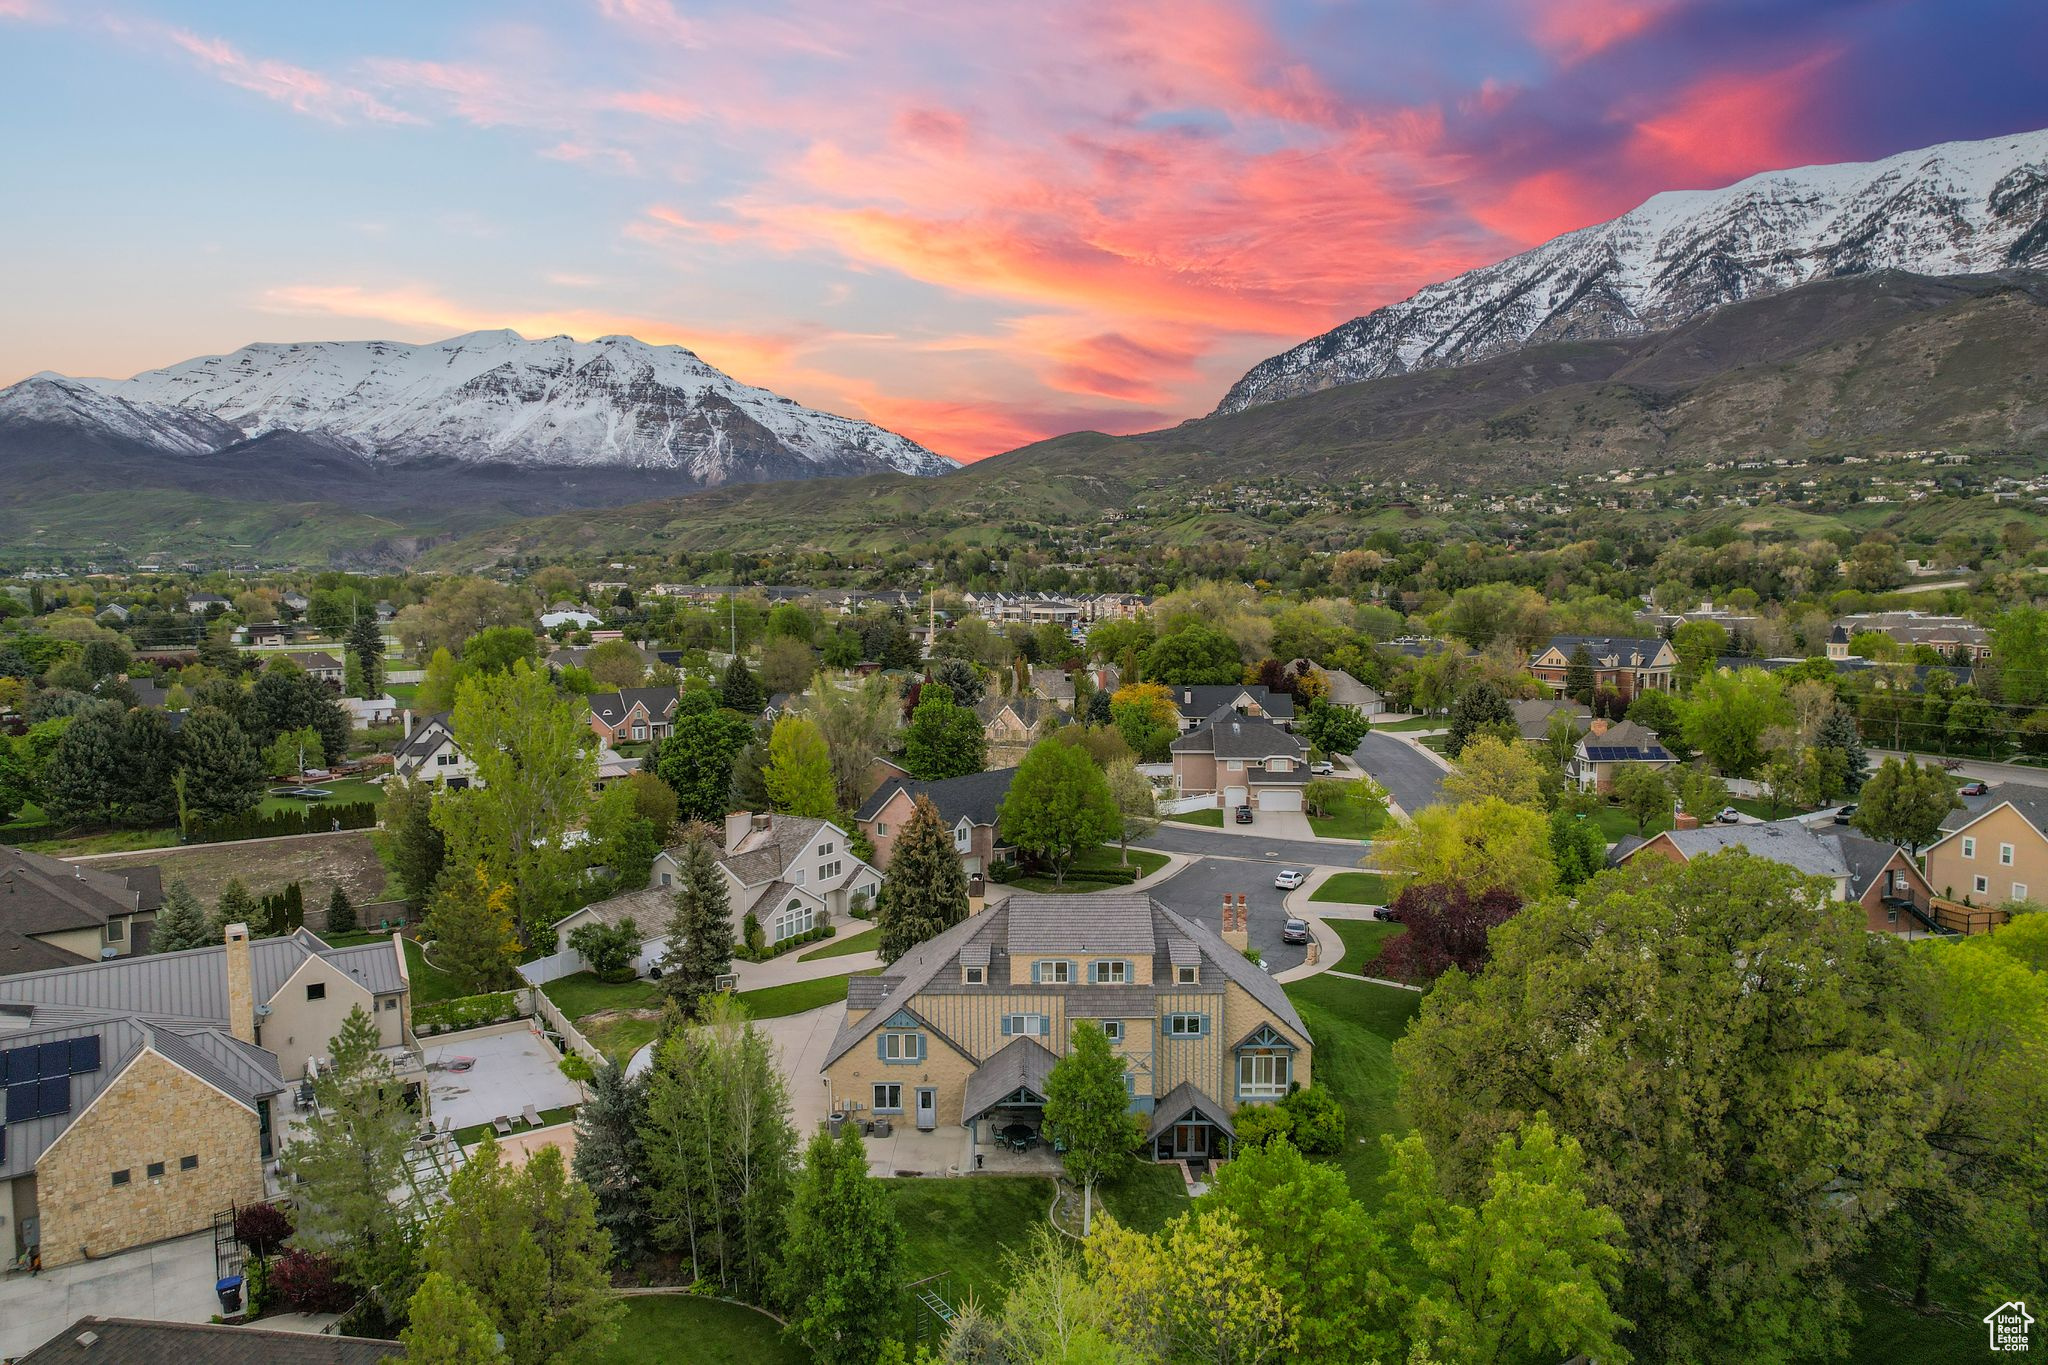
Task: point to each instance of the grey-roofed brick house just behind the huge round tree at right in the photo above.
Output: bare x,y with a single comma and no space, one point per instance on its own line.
1875,877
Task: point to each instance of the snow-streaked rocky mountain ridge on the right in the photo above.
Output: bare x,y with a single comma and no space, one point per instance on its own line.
1961,208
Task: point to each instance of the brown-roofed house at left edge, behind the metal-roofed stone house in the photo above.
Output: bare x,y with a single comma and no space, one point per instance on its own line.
56,914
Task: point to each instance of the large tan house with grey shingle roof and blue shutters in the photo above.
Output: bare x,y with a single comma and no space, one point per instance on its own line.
966,1028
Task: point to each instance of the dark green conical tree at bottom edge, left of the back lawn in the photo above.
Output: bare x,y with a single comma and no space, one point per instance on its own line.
841,1253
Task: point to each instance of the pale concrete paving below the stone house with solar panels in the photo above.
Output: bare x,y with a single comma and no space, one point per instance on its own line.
171,1282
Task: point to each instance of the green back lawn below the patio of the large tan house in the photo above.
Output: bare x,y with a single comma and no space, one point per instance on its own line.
964,1227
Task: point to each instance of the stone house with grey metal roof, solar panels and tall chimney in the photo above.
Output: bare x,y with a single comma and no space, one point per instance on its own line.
148,1094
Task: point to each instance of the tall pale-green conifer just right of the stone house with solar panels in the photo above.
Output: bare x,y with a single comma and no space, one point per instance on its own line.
349,1157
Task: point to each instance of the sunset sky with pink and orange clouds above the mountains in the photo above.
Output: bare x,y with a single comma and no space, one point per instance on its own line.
976,224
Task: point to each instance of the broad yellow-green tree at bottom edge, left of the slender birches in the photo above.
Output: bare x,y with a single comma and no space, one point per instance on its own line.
525,1241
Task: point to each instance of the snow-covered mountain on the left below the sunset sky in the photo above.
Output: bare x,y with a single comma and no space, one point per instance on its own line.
486,398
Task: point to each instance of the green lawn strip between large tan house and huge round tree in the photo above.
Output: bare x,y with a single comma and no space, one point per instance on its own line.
1355,1026
